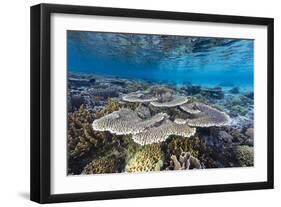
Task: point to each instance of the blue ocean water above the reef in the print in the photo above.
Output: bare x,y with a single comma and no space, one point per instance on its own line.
163,58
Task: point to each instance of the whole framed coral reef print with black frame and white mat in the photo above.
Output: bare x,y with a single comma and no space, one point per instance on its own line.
132,103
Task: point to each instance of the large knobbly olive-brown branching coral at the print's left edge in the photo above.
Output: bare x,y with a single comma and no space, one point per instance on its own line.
81,136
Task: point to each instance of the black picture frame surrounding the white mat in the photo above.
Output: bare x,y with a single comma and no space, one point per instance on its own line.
41,96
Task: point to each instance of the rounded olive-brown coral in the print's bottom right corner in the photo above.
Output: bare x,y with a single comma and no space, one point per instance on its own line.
244,155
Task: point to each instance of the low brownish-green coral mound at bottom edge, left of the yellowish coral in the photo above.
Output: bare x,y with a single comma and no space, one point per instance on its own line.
101,165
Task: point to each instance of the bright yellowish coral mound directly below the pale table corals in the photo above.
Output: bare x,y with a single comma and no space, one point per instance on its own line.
148,158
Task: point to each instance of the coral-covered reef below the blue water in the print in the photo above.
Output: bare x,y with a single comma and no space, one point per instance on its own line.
118,125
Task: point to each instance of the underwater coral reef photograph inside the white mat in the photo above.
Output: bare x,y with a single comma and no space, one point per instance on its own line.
146,102
